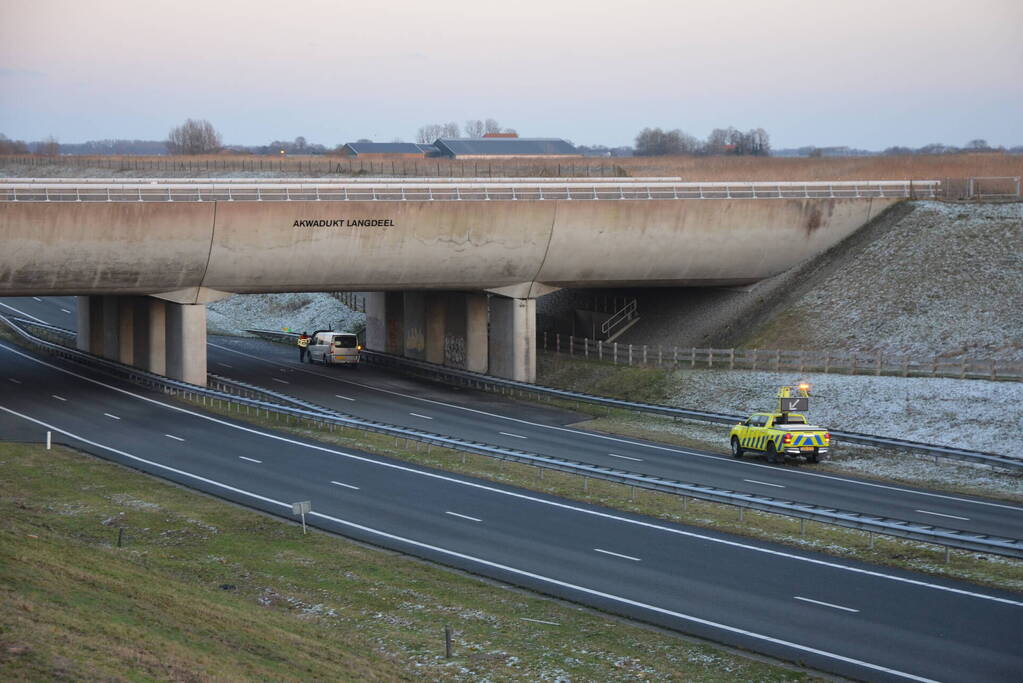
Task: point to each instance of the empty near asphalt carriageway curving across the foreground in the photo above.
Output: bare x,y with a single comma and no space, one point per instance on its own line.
851,619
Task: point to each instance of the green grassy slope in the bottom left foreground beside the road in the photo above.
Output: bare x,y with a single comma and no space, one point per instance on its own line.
206,590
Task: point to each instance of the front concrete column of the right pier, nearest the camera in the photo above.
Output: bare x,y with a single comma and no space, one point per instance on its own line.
513,339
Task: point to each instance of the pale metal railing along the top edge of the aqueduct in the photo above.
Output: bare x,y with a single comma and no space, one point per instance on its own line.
463,192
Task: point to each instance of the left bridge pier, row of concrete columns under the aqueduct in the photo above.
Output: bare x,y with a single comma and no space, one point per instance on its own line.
150,334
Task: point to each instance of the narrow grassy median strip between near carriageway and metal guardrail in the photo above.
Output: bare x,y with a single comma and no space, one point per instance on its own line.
976,568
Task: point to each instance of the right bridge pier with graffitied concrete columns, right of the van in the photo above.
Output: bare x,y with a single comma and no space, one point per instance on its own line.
457,330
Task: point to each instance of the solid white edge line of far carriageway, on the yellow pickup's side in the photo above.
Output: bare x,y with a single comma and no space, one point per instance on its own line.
723,459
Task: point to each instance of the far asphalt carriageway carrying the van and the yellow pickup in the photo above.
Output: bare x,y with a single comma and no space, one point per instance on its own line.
381,395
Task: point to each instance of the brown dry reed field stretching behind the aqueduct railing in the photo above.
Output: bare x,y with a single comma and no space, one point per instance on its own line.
937,167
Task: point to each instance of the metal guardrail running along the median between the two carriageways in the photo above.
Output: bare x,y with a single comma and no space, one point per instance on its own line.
949,538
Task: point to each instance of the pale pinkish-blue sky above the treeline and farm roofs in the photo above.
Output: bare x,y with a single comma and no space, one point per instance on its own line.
867,74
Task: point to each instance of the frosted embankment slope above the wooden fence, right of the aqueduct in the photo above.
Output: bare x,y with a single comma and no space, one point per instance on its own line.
947,281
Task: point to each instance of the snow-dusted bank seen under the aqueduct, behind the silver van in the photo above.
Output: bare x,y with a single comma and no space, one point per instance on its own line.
299,312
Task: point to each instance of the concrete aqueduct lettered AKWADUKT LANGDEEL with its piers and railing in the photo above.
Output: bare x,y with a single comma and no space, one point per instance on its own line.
454,267
